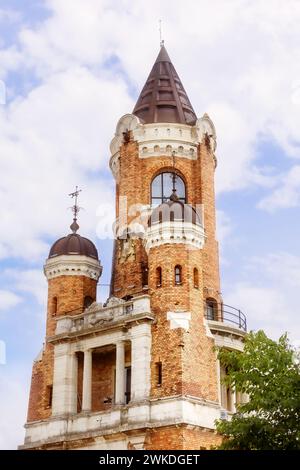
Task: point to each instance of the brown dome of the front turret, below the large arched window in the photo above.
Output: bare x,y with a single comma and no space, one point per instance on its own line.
174,211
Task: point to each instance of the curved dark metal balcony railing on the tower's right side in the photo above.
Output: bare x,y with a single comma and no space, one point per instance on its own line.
226,314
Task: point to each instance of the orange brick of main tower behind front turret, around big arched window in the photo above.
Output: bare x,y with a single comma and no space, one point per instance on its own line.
136,175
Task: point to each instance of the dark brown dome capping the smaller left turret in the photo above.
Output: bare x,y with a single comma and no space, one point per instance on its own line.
74,244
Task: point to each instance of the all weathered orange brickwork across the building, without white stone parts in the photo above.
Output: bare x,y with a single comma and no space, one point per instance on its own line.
188,360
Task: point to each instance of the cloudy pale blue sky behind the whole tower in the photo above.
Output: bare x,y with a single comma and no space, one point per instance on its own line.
68,71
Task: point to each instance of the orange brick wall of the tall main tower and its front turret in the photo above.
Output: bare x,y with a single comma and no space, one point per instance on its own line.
188,360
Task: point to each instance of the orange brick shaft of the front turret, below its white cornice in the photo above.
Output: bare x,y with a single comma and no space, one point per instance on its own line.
188,360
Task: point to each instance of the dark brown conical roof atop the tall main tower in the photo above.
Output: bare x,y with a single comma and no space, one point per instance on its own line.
163,98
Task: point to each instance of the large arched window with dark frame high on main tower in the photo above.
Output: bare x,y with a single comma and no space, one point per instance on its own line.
162,185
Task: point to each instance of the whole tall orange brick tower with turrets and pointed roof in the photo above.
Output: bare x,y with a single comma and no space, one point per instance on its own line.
141,370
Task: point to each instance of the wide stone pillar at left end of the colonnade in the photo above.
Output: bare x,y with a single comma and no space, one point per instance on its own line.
64,380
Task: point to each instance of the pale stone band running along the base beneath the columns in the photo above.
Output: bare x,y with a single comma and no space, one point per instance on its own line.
150,414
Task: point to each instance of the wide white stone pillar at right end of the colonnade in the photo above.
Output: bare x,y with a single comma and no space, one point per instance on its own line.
140,361
